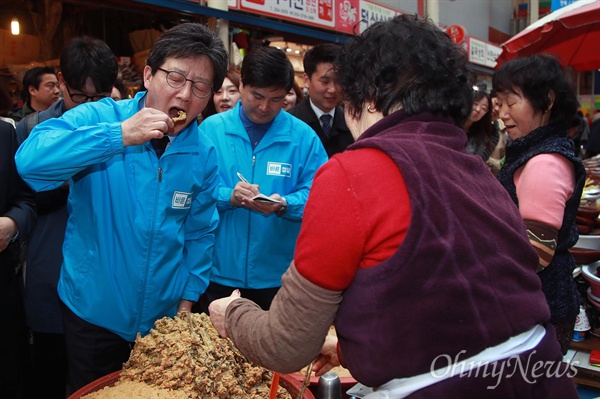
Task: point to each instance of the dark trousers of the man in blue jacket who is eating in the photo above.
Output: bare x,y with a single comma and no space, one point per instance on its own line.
92,351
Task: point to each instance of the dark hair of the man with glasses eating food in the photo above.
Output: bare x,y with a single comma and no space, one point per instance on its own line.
190,40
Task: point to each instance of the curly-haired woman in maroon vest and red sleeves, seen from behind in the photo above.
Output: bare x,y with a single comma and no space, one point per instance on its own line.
408,245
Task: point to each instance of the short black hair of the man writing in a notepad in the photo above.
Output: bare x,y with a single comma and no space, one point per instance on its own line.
267,67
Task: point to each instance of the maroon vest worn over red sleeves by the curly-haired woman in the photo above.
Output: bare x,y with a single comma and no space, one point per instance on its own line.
463,279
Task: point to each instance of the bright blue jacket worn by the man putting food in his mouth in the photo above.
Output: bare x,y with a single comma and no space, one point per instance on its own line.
140,232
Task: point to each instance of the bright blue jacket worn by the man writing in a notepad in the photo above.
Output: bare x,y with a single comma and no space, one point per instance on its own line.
253,250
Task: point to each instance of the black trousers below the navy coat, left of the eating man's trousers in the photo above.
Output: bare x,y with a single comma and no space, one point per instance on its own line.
49,371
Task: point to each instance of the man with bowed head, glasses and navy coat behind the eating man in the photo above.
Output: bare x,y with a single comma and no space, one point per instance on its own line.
88,69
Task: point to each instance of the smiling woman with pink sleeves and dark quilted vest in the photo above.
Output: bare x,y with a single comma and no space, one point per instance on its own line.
543,174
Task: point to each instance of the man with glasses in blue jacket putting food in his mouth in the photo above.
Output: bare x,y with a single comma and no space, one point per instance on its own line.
142,202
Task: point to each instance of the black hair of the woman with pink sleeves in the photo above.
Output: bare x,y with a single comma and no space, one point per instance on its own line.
537,76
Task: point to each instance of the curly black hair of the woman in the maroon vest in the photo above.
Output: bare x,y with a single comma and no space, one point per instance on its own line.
406,61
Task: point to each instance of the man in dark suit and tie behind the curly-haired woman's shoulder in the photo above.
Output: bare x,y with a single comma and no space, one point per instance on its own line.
320,110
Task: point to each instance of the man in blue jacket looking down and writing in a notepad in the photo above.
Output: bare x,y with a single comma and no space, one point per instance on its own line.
261,150
